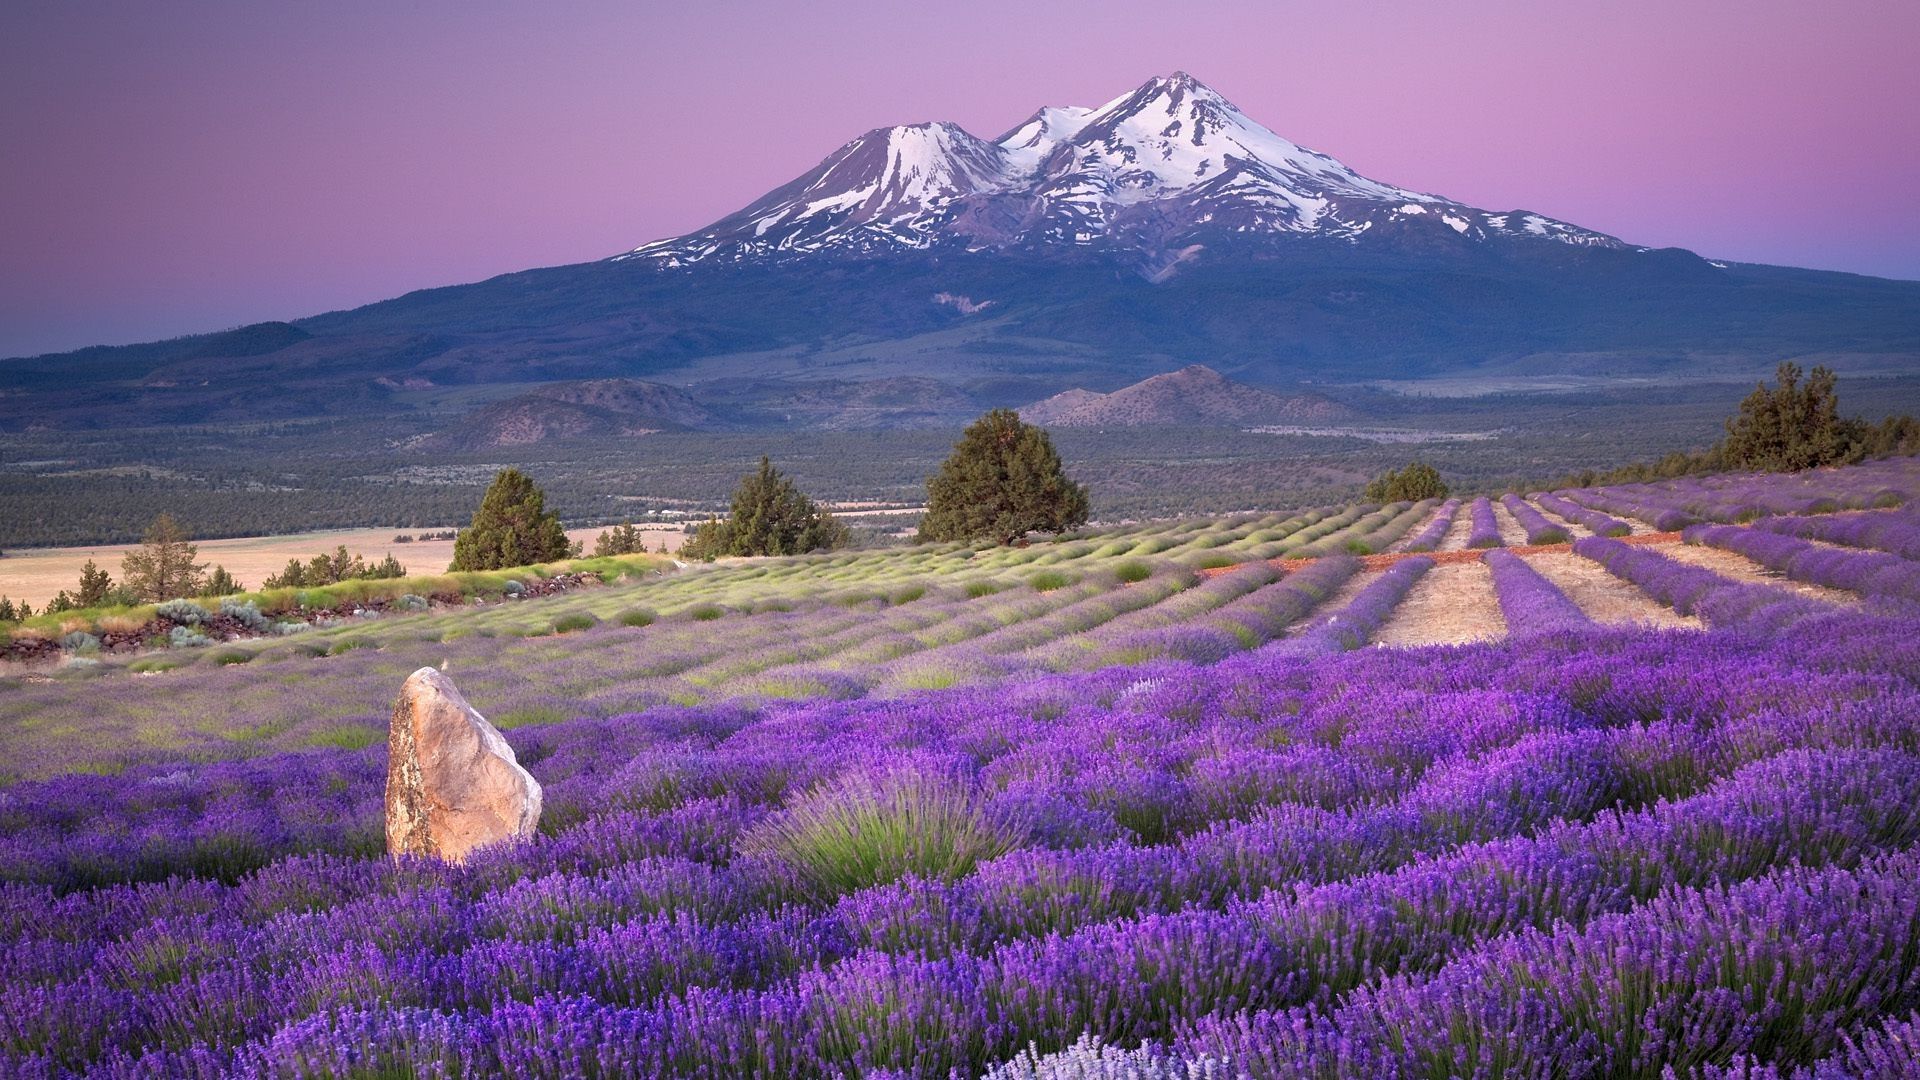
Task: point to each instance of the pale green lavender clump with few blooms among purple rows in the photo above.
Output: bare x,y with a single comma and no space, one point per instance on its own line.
875,829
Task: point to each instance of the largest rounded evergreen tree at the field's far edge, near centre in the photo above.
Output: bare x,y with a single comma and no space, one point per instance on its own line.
1003,481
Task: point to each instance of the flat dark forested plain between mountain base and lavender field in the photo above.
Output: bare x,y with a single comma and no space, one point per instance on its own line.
60,489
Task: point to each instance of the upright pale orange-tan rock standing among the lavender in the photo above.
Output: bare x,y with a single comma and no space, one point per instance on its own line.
452,781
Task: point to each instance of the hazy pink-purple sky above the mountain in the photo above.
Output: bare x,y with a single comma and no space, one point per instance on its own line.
189,166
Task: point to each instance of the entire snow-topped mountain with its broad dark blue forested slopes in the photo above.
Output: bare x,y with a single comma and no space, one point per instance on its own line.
1088,247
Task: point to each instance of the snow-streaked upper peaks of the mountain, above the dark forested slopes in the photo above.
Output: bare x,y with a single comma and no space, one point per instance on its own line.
1155,176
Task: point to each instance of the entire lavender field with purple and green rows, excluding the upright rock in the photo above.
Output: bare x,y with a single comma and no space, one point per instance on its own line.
1585,783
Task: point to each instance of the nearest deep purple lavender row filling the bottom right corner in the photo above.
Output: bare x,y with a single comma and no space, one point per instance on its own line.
1769,968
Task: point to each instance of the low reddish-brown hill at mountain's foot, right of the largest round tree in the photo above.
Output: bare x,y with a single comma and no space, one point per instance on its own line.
1191,397
